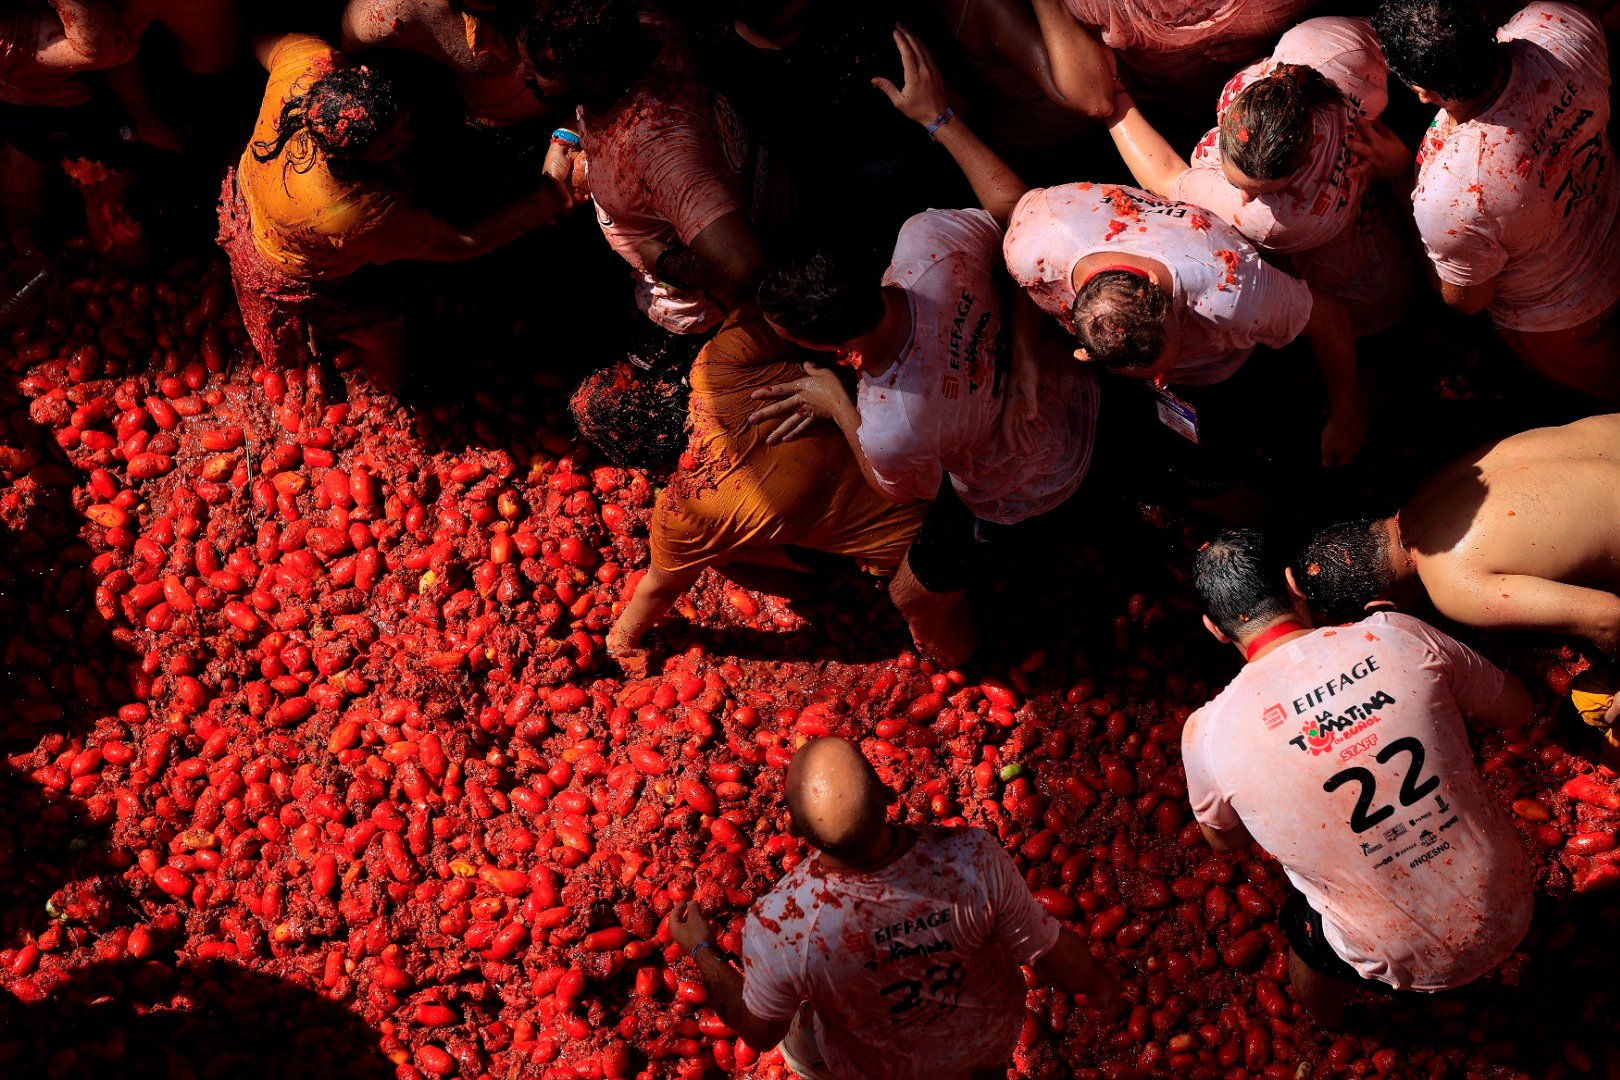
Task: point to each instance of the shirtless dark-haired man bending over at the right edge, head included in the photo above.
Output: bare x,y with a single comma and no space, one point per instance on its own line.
1517,535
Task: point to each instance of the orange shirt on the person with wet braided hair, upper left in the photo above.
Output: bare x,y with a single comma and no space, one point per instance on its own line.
307,223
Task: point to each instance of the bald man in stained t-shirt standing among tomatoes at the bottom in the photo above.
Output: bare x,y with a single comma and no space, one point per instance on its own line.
890,951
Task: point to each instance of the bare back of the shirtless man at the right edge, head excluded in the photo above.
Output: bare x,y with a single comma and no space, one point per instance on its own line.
1525,534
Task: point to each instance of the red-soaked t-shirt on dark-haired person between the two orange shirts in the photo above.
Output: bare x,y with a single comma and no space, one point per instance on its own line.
667,164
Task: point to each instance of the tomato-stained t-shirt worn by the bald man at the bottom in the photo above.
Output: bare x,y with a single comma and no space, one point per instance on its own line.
913,971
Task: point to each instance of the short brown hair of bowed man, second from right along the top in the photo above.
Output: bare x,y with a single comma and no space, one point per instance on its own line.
1268,130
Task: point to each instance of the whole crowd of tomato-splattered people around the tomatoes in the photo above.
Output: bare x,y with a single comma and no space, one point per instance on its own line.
906,367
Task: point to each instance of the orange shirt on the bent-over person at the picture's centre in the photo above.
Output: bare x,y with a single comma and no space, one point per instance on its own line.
744,495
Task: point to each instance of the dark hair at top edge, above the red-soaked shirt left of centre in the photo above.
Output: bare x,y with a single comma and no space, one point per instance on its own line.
595,48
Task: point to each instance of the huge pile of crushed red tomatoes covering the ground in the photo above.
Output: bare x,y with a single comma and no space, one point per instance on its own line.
315,762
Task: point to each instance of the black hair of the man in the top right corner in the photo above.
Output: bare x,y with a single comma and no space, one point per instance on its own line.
1443,46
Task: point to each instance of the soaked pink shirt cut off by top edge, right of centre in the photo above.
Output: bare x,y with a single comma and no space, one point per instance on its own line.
1164,41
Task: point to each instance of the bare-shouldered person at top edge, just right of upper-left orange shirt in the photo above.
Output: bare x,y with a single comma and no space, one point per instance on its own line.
464,36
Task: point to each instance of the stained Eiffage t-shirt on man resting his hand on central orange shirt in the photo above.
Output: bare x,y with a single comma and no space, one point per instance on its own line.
937,410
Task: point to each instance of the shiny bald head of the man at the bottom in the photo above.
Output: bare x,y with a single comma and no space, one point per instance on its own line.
837,802
